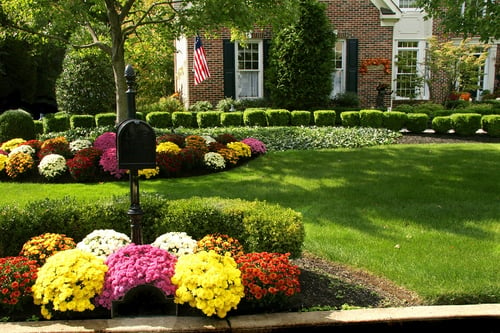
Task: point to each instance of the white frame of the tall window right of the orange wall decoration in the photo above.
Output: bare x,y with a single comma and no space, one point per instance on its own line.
421,69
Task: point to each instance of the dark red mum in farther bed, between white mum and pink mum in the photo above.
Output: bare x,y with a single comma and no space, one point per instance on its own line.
84,165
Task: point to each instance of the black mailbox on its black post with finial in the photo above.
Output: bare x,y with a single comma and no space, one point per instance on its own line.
136,149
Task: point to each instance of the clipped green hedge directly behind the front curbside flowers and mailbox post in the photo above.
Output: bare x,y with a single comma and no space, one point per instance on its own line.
258,225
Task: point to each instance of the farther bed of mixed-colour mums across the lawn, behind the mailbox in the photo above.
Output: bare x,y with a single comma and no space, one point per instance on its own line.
81,160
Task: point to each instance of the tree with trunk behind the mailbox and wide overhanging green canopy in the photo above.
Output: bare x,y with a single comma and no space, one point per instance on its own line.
110,23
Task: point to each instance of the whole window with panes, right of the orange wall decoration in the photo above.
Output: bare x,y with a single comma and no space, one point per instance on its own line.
409,77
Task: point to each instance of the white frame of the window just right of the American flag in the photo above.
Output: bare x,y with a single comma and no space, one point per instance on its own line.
260,70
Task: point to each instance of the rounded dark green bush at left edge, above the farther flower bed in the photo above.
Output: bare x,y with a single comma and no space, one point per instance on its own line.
16,124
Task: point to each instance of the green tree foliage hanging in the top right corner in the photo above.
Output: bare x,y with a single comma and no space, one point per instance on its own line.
468,17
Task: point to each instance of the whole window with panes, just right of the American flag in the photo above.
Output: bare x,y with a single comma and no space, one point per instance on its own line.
249,70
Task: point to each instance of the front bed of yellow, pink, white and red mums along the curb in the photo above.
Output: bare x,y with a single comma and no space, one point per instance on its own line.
212,274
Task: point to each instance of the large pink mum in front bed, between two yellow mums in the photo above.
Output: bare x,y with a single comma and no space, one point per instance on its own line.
134,265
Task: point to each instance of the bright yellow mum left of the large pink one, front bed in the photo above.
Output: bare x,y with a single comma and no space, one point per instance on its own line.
69,281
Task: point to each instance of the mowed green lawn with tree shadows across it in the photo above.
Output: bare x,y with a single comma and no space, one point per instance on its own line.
425,216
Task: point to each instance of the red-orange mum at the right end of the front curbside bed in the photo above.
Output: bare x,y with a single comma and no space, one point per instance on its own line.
268,277
